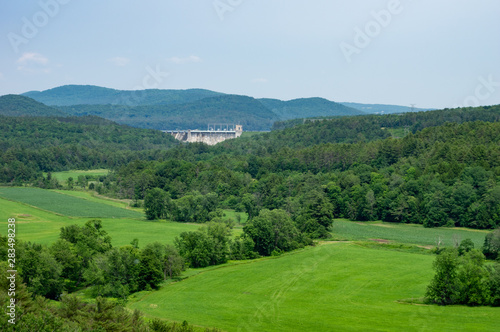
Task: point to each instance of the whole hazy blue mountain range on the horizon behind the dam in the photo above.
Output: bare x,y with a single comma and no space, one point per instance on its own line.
194,108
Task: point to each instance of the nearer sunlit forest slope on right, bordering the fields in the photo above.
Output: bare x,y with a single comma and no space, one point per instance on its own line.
441,176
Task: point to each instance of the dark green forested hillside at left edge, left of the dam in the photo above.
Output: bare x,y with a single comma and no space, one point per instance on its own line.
29,145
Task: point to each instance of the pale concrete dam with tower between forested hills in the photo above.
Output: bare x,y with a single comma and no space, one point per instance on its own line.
213,135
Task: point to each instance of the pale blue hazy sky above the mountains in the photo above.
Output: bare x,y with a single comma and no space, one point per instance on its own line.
430,53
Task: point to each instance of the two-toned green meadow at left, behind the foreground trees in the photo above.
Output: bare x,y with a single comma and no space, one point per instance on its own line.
40,214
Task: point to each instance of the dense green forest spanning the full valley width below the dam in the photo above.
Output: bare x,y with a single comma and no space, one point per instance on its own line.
444,175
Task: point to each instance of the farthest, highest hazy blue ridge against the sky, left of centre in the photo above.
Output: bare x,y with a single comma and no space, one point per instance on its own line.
95,95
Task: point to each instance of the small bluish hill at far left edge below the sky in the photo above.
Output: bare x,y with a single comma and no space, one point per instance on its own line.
15,105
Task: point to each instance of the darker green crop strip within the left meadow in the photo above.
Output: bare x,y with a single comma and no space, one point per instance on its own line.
65,204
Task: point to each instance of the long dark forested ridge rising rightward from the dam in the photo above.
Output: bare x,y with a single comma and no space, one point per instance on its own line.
356,129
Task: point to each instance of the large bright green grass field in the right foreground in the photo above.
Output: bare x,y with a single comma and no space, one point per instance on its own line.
336,286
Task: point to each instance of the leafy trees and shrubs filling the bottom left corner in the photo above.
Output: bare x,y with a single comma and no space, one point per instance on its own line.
84,257
